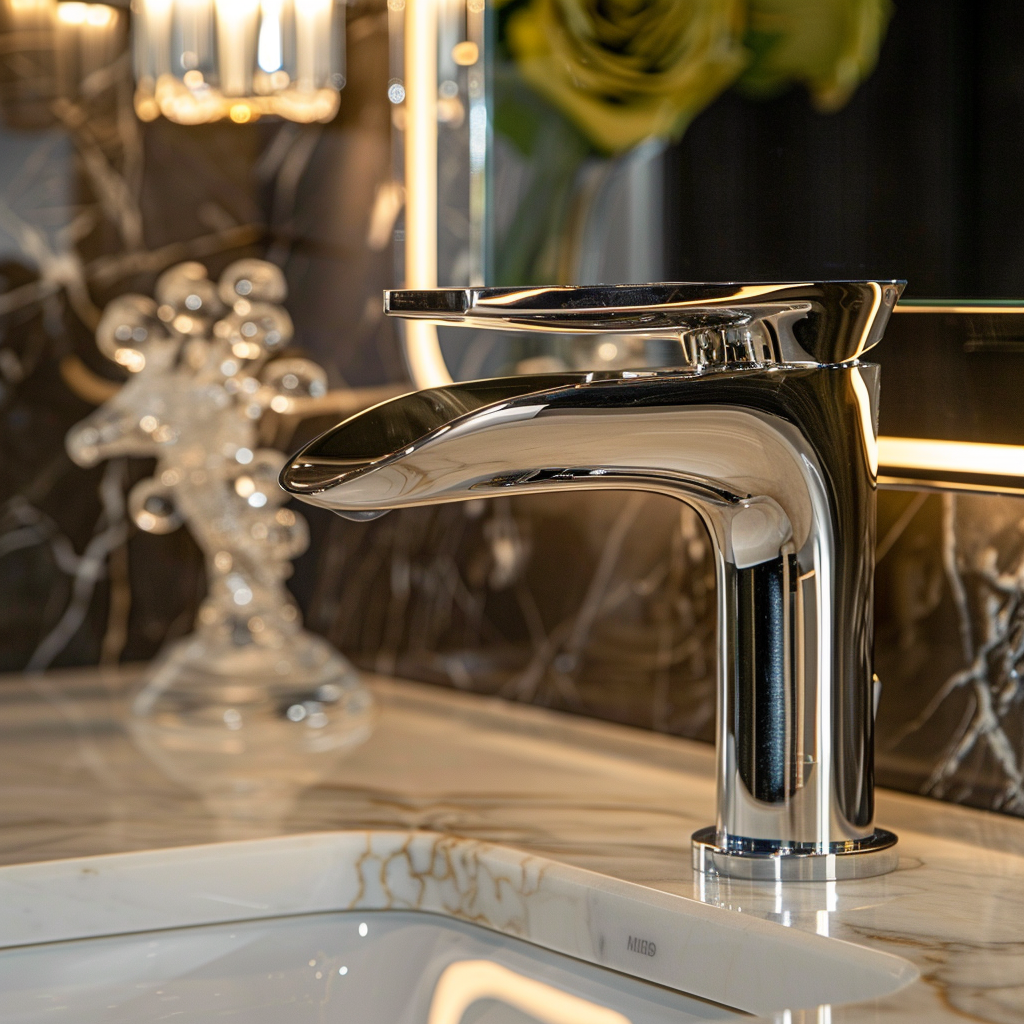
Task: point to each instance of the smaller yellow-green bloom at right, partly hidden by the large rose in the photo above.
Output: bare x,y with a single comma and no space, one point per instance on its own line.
830,47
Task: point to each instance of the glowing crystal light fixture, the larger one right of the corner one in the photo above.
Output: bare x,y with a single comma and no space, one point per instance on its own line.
201,61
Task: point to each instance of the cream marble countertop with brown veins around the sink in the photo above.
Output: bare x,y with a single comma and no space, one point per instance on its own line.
583,794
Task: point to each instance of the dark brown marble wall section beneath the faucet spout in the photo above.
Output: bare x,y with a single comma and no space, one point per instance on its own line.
598,605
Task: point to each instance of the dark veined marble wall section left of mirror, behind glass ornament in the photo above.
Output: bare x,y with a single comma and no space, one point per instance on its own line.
95,204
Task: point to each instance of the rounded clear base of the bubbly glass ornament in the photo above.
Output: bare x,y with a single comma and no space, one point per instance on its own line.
248,721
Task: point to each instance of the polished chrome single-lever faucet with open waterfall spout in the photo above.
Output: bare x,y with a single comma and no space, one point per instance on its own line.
770,434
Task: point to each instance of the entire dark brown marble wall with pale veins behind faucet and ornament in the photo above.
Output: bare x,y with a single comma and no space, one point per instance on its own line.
603,606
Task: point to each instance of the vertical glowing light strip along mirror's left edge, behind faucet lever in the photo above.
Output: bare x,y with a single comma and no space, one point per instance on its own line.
423,351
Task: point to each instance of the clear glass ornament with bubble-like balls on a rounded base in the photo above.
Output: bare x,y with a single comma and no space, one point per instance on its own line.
249,708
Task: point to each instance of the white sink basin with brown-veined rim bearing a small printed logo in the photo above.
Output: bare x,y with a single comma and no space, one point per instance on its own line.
290,930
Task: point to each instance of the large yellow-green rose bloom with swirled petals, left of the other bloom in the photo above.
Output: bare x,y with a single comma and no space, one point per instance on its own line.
626,71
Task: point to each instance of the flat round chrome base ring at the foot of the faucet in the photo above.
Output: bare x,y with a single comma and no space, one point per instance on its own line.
778,863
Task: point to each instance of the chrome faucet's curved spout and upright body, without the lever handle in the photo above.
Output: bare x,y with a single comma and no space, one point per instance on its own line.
780,465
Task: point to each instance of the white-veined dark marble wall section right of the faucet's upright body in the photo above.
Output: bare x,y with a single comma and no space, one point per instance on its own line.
951,648
